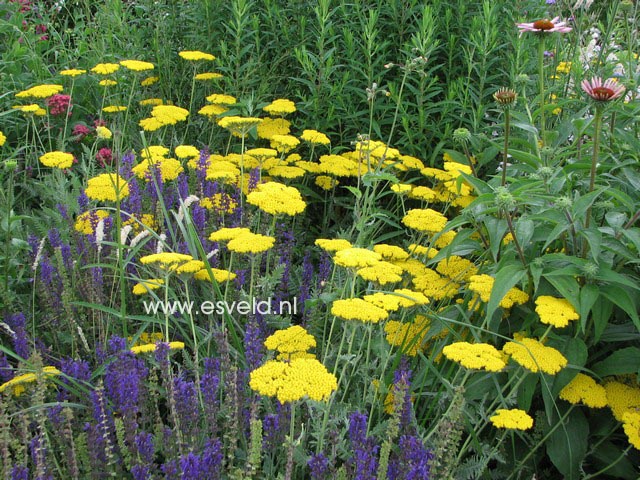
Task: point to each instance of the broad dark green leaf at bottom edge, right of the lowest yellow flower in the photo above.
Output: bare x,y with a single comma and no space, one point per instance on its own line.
567,444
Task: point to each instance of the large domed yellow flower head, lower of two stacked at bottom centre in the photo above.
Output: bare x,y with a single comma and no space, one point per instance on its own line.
294,380
